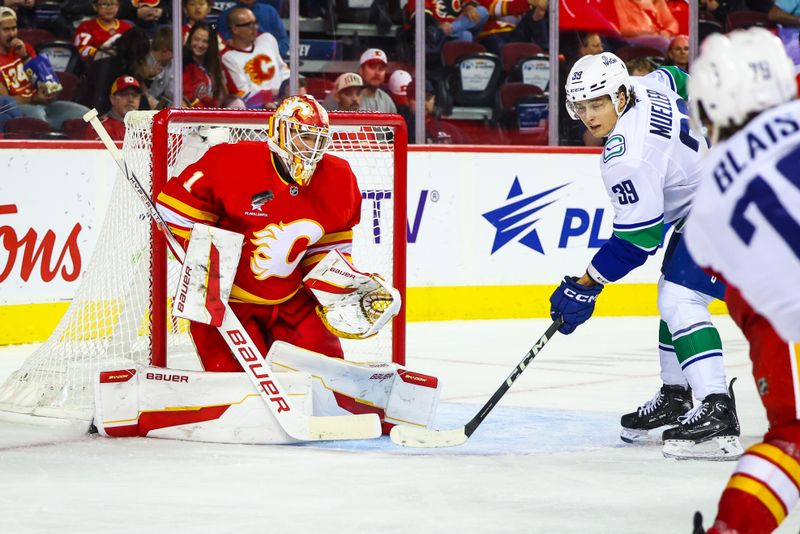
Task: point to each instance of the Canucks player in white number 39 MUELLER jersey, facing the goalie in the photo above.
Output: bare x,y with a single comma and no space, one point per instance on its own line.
650,166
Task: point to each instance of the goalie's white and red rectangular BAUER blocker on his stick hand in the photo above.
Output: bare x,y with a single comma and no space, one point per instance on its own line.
207,274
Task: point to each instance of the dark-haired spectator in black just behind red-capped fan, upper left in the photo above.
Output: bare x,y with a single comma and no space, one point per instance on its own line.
128,55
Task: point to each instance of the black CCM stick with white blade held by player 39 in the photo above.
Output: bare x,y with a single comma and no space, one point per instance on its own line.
410,436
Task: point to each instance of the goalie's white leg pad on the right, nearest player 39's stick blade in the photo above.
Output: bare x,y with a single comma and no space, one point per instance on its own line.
398,395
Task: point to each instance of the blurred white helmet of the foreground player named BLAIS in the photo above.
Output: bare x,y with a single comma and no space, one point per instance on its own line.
736,75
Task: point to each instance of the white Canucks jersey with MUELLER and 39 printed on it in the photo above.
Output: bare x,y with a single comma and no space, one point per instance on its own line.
651,164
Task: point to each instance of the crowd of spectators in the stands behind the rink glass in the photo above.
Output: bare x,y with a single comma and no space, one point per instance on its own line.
235,55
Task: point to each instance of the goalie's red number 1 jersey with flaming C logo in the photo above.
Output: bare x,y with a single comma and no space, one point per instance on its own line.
288,228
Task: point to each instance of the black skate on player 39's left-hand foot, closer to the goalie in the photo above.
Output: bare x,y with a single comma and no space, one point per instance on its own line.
669,403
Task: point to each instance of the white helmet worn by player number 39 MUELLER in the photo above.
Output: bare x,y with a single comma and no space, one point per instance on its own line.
594,76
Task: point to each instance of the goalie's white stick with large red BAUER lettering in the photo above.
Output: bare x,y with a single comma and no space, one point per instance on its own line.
295,423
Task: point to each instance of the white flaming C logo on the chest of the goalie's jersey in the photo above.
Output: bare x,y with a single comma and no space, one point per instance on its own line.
277,252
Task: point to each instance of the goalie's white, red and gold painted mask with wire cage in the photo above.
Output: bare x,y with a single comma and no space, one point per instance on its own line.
300,134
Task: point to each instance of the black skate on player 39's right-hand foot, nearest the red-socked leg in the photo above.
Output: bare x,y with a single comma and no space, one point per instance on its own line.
709,432
